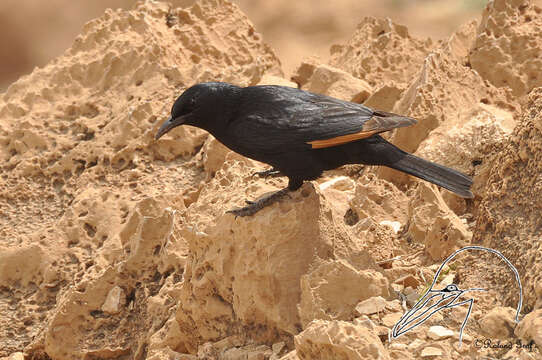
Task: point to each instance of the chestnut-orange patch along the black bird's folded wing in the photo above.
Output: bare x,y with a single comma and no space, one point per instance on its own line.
379,122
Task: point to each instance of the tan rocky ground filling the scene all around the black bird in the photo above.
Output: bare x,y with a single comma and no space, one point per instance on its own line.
117,246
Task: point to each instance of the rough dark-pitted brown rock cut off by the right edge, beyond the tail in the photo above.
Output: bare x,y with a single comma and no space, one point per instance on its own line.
508,215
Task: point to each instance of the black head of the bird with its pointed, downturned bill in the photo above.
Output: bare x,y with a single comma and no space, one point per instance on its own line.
198,106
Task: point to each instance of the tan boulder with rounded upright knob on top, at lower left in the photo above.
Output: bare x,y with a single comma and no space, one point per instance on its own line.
96,301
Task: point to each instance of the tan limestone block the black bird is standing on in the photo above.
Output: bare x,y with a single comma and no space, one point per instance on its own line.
246,253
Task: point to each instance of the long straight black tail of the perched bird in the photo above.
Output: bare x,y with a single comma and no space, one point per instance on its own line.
437,174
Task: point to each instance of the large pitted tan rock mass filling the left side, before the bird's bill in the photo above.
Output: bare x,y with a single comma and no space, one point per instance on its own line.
78,154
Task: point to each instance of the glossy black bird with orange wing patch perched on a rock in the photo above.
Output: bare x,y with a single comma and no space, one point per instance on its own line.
301,134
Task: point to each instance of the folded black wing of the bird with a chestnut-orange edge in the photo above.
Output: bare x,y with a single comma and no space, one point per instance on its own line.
287,119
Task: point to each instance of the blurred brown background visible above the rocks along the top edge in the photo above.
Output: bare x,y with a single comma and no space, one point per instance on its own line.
33,32
